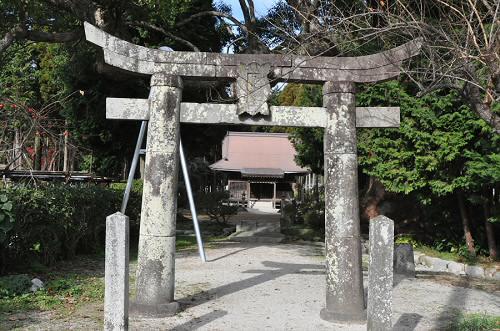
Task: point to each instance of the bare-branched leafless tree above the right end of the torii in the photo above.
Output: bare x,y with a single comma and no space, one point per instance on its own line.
461,40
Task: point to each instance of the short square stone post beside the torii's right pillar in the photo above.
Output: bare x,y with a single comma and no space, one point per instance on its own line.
380,274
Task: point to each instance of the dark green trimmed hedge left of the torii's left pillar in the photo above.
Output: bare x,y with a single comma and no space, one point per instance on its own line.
53,222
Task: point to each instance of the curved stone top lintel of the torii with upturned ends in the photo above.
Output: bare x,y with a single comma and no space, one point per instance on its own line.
143,60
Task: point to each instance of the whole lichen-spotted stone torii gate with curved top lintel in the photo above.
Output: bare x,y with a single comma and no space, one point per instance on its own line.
252,74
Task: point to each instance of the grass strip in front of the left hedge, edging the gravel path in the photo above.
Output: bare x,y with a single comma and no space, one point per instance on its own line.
69,284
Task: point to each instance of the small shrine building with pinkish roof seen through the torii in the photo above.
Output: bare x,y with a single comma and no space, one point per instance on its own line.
259,167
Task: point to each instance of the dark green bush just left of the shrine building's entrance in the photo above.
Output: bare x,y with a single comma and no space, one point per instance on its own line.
215,205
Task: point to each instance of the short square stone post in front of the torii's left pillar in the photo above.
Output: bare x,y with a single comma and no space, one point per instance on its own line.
116,271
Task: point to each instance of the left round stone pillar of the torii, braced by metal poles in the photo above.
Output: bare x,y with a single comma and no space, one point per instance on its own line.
155,282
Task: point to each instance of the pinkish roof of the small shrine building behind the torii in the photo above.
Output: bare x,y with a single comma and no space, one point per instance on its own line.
258,150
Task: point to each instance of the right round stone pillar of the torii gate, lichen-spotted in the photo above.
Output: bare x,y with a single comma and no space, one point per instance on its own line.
344,278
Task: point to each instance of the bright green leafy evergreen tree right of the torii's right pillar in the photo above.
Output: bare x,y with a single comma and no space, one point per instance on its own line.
441,149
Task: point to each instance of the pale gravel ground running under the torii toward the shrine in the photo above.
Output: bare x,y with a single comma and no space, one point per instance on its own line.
248,286
